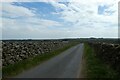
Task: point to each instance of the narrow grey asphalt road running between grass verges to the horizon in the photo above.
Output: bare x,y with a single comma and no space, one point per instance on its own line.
65,65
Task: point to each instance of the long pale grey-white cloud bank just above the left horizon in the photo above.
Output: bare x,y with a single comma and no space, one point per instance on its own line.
35,28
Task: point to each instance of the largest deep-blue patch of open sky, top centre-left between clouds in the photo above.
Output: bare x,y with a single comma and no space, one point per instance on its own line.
42,9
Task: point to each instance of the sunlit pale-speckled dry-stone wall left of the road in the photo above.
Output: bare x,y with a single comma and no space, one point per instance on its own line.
14,51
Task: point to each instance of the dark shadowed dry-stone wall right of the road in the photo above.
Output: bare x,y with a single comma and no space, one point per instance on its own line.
108,53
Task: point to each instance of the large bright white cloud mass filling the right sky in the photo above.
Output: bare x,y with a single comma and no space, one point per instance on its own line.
84,14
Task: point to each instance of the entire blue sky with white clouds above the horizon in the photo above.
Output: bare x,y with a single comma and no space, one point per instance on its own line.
53,19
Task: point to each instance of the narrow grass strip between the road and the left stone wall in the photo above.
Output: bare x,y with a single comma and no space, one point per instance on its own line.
14,69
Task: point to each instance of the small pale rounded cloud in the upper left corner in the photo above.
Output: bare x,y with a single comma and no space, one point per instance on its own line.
16,11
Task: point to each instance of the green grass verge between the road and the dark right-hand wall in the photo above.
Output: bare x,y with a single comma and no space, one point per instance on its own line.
95,68
